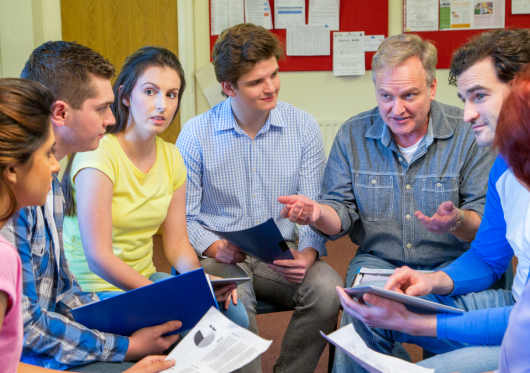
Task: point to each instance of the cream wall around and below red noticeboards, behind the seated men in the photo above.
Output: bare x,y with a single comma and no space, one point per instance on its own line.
320,93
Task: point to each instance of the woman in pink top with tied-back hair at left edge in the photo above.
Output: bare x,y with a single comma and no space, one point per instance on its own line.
26,167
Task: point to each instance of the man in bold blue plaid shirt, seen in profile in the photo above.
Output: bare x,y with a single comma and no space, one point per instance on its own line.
79,78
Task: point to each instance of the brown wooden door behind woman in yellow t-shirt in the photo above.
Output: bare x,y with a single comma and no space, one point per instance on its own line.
117,28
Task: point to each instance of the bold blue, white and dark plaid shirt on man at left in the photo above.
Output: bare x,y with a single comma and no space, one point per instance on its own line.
51,338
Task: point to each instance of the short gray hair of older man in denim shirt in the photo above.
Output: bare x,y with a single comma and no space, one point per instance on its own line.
395,50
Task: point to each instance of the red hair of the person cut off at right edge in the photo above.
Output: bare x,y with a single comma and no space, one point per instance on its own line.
512,136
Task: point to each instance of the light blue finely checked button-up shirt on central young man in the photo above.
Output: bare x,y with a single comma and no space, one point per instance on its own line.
234,182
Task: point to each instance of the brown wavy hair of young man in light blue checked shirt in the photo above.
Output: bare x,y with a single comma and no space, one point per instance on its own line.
239,48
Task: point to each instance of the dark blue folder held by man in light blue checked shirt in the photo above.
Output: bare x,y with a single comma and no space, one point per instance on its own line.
263,242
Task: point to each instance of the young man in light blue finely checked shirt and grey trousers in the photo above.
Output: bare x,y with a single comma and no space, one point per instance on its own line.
241,155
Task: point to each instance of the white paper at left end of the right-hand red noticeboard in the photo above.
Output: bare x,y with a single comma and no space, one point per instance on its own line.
421,15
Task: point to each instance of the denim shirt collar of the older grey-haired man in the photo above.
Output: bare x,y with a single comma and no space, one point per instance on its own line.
438,127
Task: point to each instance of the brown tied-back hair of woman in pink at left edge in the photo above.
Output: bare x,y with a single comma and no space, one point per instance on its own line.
25,109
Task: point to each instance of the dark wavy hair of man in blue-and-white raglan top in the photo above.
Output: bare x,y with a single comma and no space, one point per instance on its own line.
509,49
